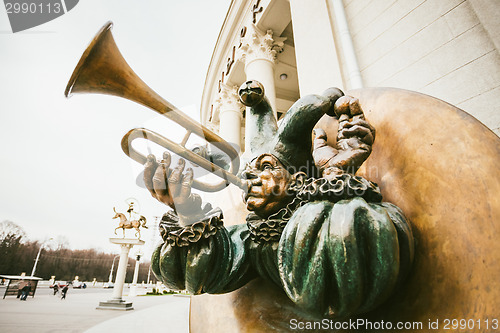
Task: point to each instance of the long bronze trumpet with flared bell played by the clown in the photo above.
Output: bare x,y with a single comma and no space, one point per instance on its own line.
102,69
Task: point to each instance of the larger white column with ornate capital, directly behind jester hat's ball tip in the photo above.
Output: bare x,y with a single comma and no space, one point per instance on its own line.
259,52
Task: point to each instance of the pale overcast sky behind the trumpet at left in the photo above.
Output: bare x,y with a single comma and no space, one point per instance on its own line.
62,168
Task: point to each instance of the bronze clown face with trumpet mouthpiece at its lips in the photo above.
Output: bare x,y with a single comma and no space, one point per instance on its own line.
268,183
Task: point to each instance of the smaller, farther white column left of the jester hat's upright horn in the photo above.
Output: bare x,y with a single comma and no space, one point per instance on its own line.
230,112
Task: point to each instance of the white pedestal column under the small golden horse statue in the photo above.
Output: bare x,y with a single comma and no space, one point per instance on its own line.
117,303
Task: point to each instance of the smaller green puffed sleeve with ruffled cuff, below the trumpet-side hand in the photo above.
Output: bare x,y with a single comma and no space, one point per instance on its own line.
205,258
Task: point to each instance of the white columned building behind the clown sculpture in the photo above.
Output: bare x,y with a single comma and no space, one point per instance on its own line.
447,49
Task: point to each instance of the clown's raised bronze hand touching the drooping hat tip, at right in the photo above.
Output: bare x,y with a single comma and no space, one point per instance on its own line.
354,141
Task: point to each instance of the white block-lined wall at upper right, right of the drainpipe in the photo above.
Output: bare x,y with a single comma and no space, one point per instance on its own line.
438,47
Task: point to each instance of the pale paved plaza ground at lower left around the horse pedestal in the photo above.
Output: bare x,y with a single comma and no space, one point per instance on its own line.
77,313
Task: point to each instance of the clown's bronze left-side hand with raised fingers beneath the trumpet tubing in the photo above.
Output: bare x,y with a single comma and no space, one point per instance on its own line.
172,186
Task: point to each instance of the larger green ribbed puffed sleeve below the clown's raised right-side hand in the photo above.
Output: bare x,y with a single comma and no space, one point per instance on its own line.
344,258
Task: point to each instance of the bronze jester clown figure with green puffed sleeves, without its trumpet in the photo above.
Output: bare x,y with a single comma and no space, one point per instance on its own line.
315,229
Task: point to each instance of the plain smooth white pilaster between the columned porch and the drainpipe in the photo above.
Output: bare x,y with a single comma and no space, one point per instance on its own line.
318,65
